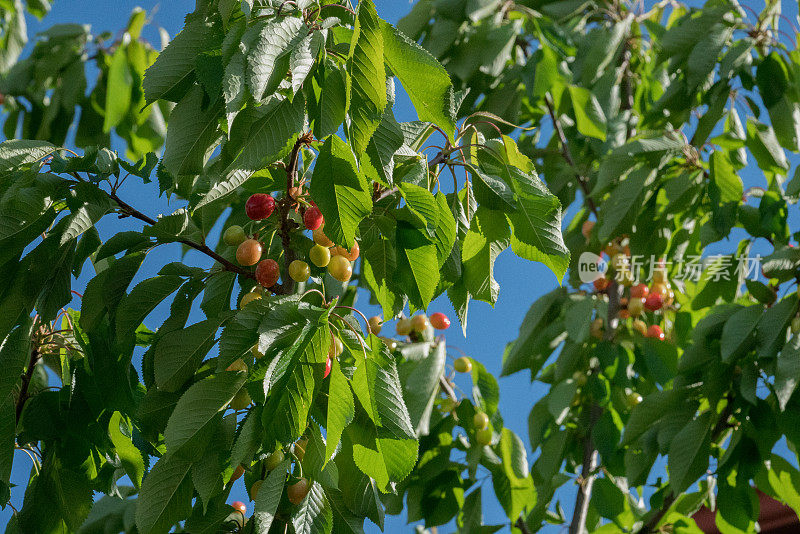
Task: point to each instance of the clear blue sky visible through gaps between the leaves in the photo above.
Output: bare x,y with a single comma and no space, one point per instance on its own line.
489,330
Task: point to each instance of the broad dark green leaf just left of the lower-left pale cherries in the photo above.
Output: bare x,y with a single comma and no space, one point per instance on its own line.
187,432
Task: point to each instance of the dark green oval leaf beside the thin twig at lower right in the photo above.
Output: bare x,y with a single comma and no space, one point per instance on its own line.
688,453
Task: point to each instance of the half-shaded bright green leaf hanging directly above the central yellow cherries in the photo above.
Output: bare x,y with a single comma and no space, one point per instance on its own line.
341,191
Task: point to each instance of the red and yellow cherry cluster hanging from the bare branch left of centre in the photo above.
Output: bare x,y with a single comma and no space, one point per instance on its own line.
249,250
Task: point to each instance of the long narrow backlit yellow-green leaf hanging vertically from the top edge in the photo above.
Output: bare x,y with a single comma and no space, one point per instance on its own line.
367,77
